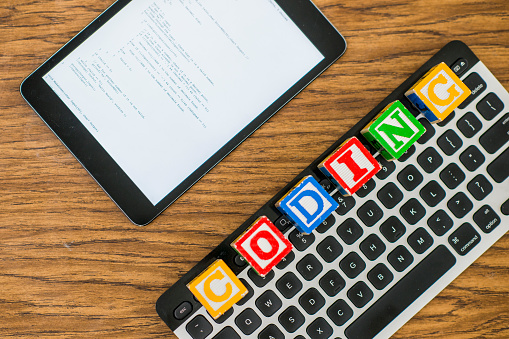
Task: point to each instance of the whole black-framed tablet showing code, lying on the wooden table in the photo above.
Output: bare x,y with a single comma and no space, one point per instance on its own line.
152,94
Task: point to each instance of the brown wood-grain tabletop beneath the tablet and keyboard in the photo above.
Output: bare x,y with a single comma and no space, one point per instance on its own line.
71,264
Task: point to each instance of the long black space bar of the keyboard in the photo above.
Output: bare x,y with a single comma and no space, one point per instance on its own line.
402,294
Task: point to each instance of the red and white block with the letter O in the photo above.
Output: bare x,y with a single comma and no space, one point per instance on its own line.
263,246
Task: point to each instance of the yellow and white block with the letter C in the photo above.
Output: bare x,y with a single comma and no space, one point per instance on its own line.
217,288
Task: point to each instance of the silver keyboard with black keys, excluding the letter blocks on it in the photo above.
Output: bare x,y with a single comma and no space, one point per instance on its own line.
388,249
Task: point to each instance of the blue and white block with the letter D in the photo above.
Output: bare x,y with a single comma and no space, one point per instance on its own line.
307,205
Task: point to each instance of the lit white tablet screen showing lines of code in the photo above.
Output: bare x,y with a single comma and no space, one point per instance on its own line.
164,84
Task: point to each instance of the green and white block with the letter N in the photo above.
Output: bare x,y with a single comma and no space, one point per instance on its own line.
393,131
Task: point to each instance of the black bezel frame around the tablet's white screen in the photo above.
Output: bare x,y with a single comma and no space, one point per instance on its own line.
101,165
